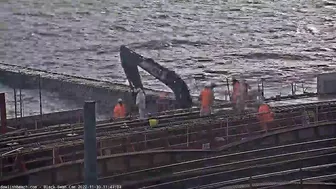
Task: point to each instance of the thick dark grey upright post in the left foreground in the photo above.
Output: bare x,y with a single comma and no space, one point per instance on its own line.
90,144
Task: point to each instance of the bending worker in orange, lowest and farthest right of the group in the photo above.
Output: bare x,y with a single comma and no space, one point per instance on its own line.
265,116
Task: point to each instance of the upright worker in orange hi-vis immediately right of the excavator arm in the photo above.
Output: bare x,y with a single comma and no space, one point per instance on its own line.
207,99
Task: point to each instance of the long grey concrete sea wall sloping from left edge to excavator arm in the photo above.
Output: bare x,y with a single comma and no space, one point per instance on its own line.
74,88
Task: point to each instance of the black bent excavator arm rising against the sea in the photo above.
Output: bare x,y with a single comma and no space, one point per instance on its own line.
130,61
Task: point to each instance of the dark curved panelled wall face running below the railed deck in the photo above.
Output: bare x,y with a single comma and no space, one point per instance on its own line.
71,172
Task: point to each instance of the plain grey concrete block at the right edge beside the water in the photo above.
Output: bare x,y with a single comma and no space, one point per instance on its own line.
326,83
